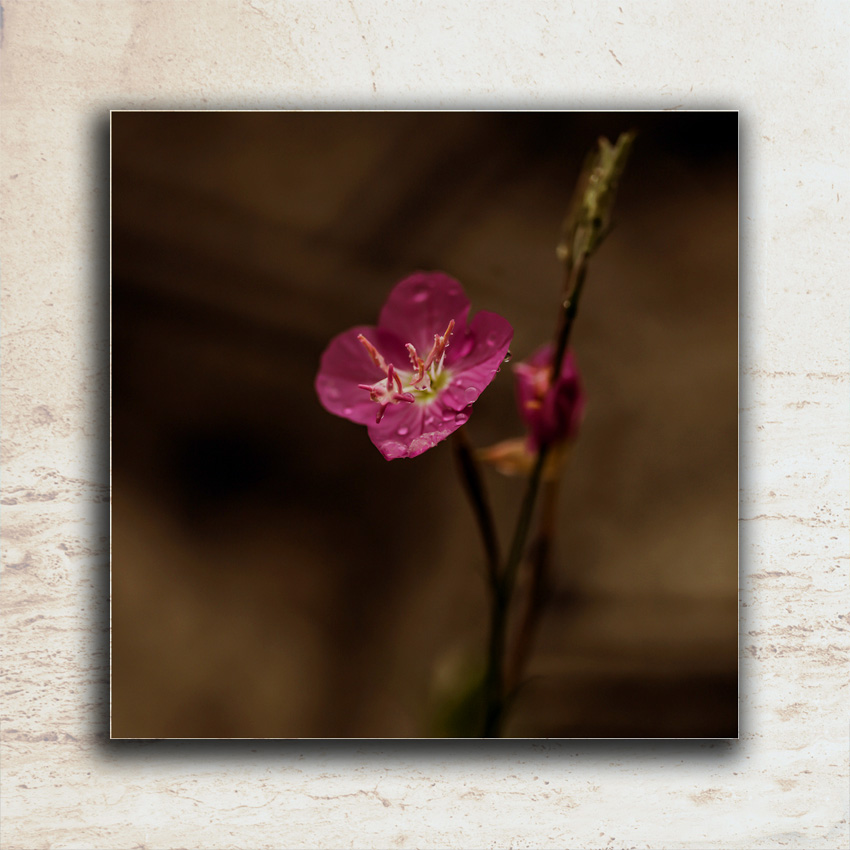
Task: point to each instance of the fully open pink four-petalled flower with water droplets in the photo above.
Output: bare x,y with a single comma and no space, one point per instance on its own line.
413,378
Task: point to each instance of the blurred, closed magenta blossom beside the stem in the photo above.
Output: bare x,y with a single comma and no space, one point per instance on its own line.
551,410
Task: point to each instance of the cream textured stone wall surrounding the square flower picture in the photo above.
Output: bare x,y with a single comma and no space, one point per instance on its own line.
785,783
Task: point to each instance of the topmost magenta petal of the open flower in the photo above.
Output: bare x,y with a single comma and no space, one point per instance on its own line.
423,305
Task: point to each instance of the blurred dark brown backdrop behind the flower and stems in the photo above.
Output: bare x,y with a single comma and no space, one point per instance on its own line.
253,595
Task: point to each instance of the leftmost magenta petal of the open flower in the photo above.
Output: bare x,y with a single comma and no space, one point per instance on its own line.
345,363
